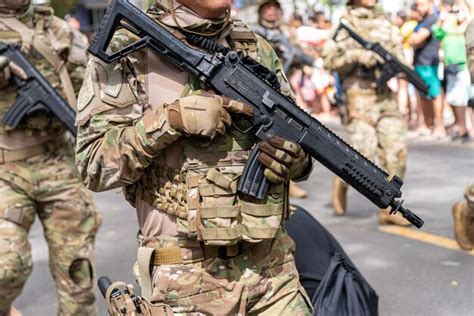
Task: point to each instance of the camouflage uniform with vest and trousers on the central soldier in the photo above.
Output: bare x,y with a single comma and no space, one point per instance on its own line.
212,250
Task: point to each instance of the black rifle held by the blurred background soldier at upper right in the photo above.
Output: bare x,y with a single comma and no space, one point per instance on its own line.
392,66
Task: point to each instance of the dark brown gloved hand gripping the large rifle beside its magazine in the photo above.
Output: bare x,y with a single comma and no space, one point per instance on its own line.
283,160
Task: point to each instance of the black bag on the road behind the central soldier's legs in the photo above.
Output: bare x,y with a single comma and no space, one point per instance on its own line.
330,279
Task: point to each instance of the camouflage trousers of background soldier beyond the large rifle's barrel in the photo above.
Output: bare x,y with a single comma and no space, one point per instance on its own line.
379,132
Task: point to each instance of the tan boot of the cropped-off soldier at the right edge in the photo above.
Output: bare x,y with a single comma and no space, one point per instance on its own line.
463,219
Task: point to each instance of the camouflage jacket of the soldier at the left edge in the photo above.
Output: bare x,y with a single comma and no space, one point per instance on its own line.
64,43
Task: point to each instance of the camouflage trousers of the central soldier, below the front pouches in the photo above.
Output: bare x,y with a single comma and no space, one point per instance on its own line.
262,280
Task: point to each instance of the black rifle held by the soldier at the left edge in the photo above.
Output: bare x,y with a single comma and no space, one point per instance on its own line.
35,94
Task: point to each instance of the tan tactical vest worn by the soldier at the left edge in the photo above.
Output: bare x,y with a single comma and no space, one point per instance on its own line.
48,62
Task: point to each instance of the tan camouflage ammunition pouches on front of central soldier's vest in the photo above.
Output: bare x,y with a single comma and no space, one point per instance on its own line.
218,216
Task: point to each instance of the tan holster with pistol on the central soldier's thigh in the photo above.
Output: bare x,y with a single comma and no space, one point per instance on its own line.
121,300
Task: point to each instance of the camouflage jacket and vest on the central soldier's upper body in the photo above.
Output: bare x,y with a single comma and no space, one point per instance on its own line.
180,186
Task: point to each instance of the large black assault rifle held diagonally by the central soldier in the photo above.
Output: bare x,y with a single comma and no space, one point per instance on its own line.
241,78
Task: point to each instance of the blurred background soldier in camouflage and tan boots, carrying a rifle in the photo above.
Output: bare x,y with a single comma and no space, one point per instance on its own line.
376,127
